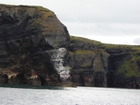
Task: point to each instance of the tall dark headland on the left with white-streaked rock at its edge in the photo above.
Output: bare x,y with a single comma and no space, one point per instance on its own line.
32,42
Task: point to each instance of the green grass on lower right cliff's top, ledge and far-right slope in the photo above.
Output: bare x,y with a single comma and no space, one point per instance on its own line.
129,67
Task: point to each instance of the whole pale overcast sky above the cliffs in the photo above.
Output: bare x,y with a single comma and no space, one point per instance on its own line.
107,21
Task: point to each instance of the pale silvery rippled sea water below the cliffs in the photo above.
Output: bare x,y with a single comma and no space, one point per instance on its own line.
69,96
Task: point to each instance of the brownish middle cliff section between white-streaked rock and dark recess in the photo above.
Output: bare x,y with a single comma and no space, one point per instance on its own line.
89,62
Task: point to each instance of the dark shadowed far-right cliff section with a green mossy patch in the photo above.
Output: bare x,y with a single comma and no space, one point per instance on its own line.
123,66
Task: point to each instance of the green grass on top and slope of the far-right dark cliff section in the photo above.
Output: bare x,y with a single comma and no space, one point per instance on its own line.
129,66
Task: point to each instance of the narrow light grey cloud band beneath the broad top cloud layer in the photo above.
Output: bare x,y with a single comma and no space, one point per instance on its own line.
107,29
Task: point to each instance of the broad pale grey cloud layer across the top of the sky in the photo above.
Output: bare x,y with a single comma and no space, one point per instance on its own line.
90,11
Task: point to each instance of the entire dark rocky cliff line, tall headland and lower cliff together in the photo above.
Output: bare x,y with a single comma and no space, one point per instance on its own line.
36,49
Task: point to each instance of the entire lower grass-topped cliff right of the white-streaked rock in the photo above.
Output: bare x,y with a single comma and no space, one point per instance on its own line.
97,64
